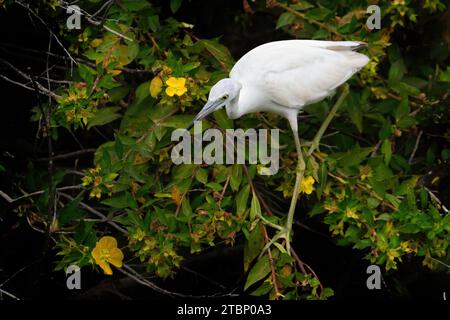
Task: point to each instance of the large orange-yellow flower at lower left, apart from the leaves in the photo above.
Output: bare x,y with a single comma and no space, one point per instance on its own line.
106,252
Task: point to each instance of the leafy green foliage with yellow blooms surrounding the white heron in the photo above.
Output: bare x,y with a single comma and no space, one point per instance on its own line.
366,188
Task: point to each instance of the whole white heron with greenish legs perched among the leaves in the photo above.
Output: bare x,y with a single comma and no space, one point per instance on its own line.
282,77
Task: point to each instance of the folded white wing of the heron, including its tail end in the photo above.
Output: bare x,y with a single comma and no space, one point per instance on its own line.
294,73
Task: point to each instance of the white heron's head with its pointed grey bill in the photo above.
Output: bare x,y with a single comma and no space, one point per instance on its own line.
222,94
